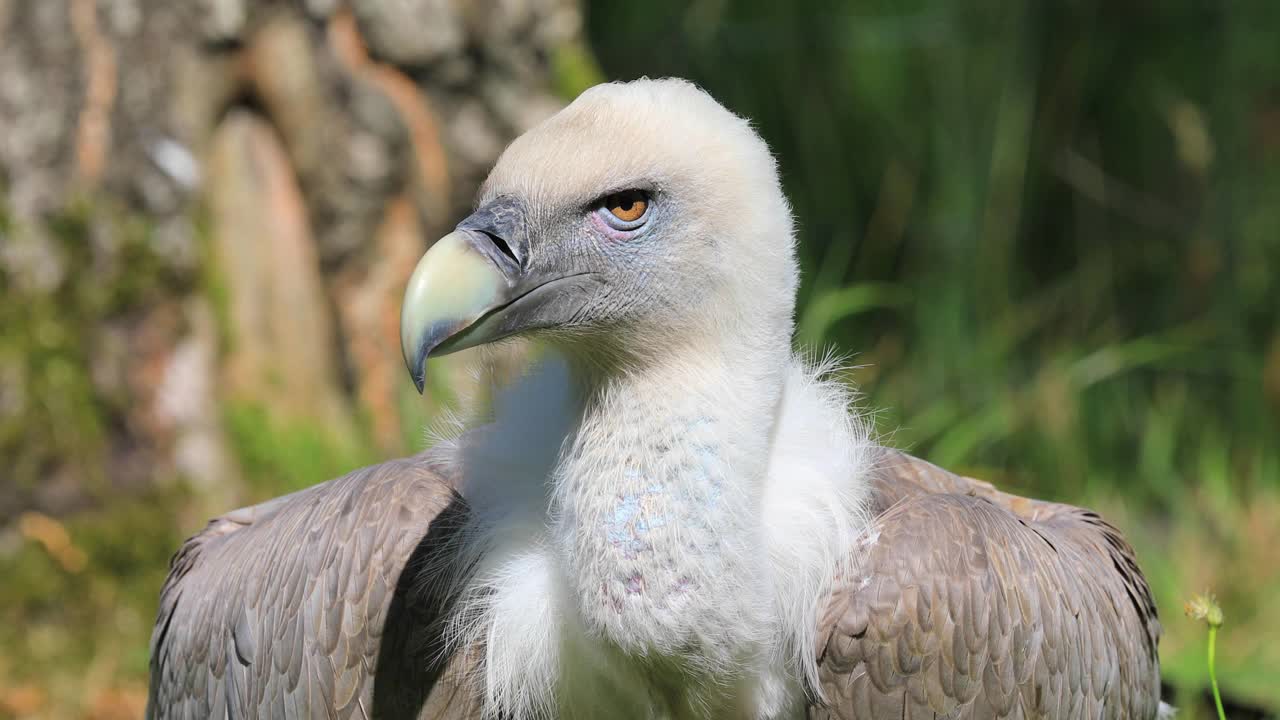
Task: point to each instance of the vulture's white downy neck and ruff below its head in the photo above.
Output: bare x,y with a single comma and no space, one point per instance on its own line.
632,550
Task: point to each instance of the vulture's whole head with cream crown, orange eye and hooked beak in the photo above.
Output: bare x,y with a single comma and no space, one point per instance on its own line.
641,218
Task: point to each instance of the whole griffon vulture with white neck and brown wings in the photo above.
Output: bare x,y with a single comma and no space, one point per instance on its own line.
669,516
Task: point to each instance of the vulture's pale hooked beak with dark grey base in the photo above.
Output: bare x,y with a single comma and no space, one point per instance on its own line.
476,286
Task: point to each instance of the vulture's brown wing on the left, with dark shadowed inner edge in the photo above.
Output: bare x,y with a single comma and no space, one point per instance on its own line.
291,608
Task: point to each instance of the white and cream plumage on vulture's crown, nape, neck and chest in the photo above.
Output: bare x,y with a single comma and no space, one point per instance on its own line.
674,518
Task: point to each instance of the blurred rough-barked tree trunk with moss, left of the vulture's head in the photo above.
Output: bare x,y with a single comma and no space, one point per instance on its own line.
212,207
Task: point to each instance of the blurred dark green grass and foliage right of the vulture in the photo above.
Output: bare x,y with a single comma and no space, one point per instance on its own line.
1049,235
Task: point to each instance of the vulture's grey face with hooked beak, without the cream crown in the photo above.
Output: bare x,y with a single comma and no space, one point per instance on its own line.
566,270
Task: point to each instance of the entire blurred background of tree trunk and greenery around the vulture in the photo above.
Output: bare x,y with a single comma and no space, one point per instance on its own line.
1048,234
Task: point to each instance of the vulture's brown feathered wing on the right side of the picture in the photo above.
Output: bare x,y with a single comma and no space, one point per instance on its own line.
979,604
